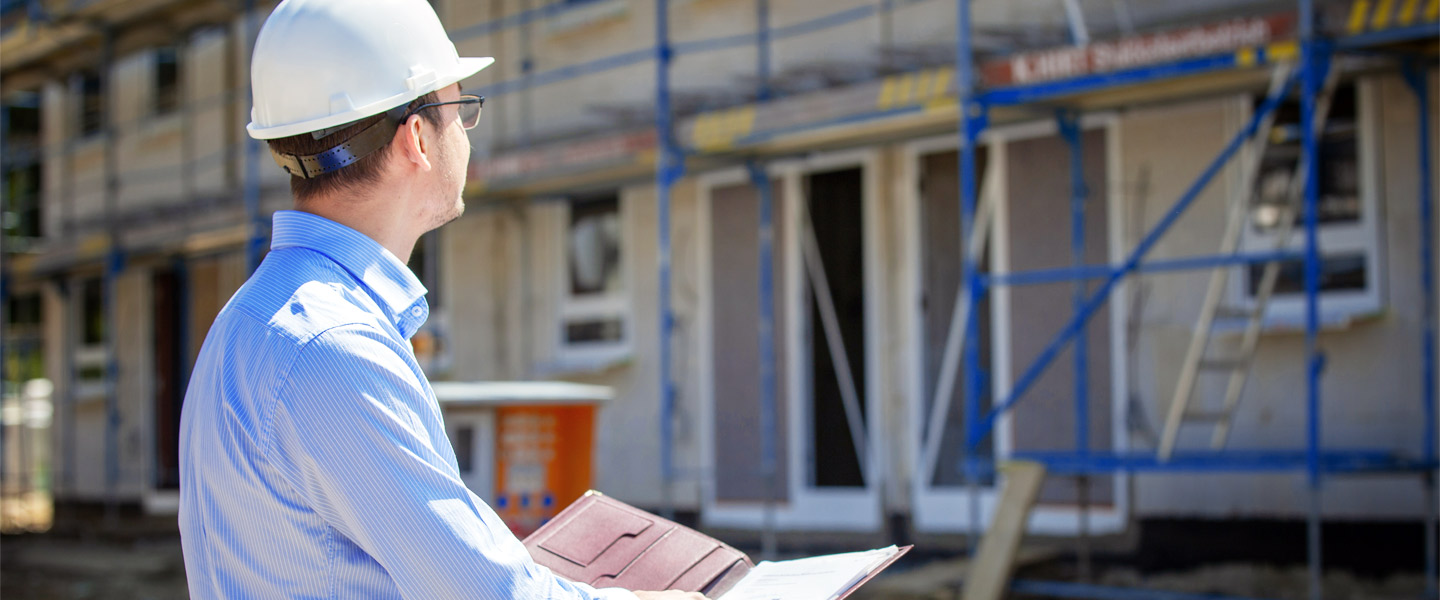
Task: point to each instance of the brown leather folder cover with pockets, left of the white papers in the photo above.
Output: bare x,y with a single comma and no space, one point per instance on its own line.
607,543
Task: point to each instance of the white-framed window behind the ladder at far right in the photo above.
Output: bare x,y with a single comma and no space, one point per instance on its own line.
1349,212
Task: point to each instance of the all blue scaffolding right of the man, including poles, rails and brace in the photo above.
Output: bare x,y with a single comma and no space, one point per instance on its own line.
1314,61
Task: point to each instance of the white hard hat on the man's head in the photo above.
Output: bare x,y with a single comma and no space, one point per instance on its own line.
320,64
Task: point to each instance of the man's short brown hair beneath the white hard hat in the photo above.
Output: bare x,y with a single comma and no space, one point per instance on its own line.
362,172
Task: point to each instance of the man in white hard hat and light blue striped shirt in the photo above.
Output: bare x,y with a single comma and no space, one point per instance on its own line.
315,463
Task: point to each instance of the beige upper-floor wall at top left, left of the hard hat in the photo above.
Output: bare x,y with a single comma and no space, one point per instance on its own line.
153,150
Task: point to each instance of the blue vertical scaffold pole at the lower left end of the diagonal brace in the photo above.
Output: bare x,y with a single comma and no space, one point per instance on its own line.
971,123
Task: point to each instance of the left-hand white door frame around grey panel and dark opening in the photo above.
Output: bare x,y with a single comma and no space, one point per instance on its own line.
807,507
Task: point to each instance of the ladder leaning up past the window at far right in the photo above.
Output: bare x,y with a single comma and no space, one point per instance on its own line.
1238,366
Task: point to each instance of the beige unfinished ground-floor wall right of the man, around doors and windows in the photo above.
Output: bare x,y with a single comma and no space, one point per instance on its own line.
1166,147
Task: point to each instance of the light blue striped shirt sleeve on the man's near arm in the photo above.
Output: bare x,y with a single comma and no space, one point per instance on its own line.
349,434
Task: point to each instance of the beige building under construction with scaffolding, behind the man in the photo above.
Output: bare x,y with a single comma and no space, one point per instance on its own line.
834,264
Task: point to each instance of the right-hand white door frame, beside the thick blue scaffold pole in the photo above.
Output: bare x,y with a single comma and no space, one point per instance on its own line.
947,510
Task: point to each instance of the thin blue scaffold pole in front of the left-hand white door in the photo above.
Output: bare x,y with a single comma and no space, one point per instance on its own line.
770,467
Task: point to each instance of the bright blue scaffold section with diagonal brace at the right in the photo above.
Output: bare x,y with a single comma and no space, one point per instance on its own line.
1314,460
